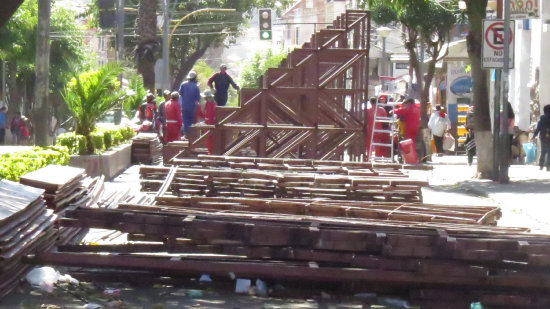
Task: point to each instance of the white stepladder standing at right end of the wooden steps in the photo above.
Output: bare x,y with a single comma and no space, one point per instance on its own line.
391,131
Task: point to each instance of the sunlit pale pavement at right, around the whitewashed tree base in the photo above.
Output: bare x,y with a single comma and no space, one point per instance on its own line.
525,201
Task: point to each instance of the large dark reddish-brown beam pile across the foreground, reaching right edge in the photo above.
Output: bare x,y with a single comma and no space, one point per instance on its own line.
436,264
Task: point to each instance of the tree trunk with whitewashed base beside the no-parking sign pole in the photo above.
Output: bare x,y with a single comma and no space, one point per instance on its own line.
483,136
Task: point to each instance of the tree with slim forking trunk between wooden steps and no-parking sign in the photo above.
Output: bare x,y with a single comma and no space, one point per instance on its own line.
427,24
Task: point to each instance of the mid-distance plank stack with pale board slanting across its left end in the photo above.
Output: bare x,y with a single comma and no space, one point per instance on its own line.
230,182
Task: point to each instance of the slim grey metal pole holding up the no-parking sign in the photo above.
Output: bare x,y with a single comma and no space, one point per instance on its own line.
504,137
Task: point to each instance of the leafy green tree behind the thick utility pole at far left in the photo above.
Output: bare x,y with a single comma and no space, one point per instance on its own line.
18,49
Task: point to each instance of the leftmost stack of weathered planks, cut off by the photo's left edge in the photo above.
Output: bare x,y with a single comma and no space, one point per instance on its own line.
26,227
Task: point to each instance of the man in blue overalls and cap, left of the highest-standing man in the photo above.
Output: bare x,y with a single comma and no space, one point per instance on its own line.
190,97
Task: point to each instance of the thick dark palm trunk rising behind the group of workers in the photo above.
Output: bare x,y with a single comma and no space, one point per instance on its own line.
148,45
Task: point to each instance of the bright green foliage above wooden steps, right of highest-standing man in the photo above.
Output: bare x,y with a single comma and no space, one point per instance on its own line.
256,67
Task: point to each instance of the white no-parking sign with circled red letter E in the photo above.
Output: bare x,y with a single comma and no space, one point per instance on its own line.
493,44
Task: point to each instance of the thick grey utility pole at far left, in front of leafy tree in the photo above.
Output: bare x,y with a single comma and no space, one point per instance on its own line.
41,114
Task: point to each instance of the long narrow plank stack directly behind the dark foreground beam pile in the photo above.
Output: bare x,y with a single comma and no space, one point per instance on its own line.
393,211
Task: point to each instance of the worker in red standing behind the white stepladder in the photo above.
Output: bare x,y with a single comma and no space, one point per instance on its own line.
378,137
